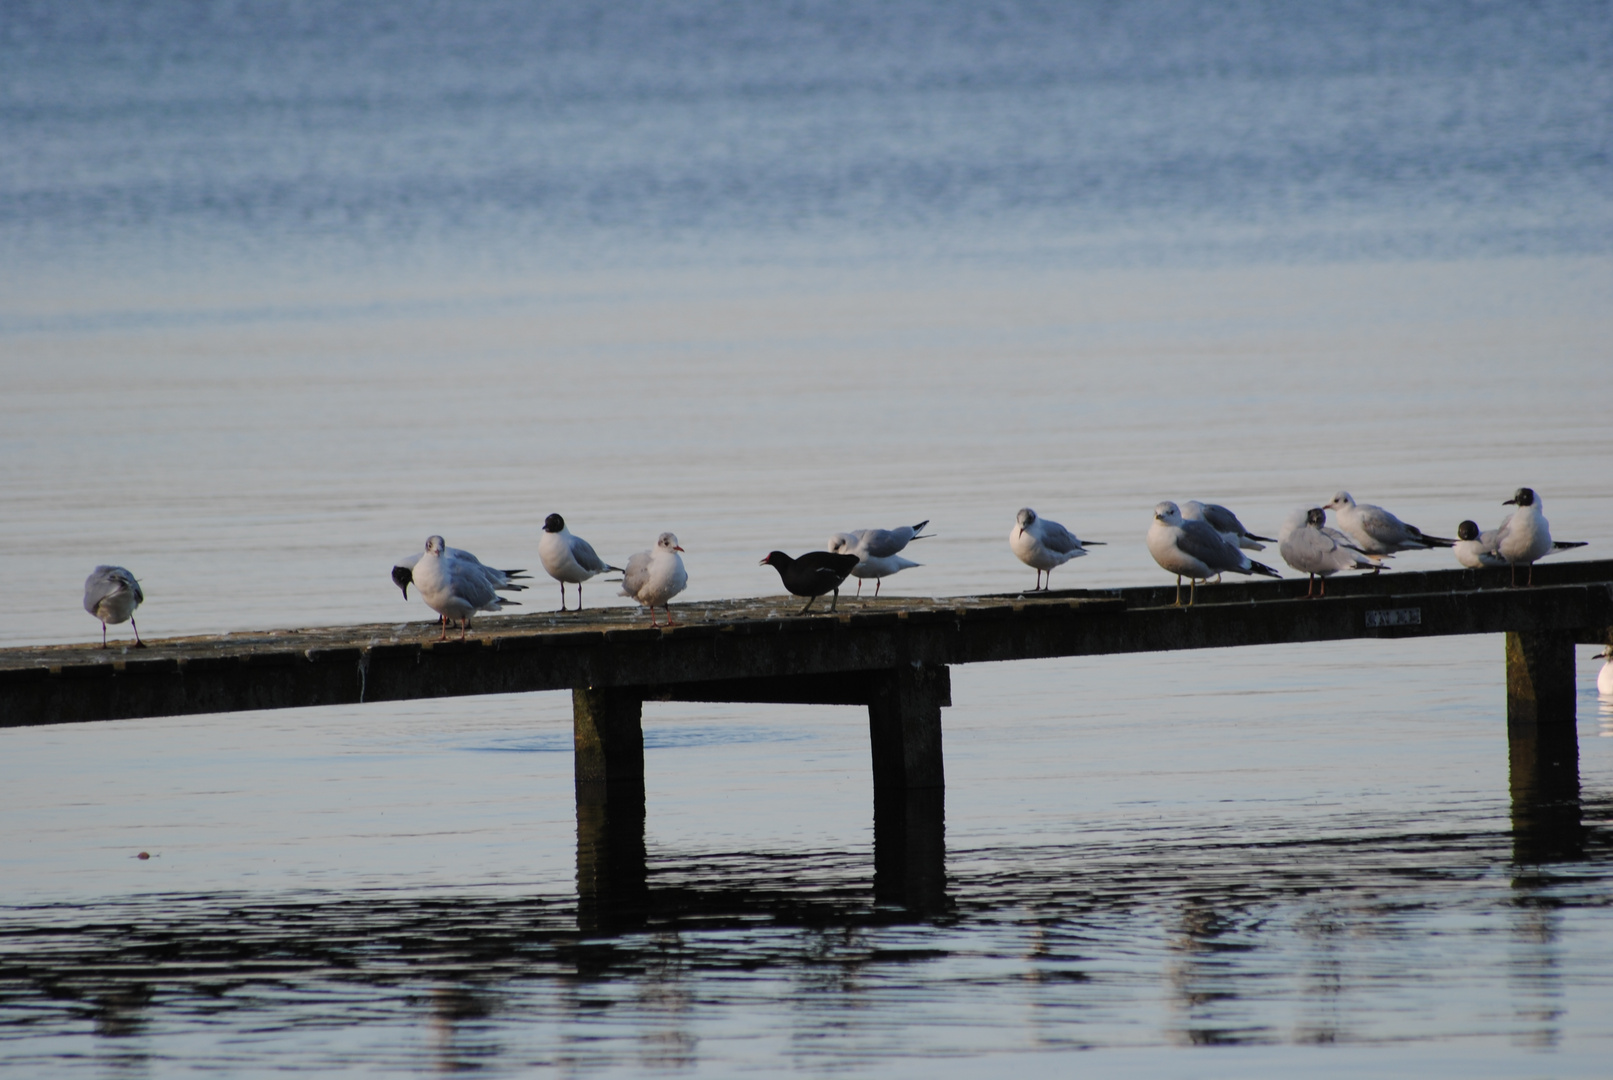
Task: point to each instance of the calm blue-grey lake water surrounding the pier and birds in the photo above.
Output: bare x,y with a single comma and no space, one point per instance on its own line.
288,288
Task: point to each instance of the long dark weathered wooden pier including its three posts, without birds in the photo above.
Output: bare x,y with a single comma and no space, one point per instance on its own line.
891,657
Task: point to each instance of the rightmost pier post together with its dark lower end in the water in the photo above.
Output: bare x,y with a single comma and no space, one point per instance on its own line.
1544,747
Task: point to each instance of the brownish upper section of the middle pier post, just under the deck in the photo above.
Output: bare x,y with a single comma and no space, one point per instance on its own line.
904,726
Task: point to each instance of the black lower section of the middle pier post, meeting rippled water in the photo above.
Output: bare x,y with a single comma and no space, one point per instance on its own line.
911,849
